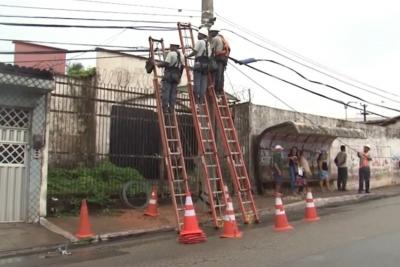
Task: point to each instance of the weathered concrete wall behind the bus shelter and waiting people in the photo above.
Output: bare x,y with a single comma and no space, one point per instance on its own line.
385,142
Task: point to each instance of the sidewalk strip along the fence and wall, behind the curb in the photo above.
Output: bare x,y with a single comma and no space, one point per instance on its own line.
28,238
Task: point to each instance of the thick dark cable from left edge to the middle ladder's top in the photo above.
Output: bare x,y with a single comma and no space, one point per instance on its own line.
138,28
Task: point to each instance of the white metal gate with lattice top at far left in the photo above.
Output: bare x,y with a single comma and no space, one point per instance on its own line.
14,136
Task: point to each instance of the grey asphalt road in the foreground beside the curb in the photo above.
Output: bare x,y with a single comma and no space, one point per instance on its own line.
366,234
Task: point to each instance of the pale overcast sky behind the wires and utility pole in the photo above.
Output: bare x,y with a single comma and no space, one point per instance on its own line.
353,41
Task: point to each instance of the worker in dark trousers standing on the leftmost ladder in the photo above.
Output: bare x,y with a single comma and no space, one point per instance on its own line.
172,76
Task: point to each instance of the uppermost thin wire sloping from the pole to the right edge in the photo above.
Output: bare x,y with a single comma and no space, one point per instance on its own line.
267,41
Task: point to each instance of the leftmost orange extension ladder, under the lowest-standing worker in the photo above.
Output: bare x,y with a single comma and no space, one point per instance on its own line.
170,138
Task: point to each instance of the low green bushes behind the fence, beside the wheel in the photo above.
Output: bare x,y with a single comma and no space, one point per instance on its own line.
100,185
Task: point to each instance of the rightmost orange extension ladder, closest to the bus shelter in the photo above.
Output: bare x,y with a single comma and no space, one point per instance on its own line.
234,155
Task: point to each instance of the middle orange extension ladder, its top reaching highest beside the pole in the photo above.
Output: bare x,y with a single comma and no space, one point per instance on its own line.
205,135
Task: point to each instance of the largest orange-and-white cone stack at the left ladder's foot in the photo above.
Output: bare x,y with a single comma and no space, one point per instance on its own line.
191,232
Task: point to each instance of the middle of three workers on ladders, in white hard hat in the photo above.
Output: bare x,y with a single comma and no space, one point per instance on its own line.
202,52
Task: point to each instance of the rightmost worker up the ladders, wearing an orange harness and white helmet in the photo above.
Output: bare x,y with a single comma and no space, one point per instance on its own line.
220,51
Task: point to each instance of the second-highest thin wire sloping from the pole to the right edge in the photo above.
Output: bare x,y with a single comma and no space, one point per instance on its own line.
319,71
